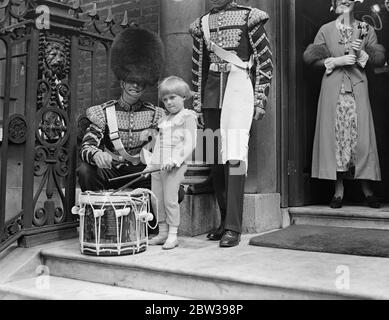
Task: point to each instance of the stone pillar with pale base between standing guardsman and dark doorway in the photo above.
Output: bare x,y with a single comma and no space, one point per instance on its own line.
262,200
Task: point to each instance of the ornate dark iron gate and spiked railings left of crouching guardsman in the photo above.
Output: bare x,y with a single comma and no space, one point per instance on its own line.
44,64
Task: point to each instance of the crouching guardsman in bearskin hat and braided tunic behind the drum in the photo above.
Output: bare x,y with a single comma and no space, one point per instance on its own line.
120,129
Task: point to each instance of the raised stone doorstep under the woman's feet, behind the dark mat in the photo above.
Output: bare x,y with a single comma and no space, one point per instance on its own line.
348,216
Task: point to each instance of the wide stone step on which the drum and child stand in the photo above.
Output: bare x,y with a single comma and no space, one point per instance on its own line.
202,270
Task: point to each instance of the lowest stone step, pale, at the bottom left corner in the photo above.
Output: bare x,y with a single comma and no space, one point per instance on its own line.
57,288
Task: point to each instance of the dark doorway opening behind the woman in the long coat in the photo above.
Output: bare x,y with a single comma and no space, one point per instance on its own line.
307,18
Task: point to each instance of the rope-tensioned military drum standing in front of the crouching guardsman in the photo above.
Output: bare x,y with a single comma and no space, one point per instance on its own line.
113,224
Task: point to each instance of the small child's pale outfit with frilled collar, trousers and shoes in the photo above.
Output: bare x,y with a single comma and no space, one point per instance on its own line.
175,143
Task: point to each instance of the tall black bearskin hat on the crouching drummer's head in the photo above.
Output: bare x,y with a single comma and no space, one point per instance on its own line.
137,55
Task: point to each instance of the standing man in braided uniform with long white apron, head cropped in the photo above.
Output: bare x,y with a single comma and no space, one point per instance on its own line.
232,72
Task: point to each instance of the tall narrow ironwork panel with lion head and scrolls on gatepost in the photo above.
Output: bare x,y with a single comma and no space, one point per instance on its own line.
53,126
